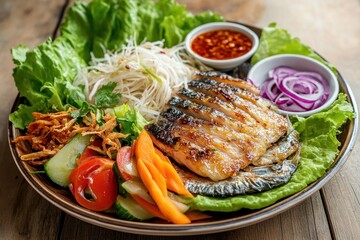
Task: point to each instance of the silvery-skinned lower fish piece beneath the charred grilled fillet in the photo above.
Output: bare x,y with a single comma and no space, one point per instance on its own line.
252,179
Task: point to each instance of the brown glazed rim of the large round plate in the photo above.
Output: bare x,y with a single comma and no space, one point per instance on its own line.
159,229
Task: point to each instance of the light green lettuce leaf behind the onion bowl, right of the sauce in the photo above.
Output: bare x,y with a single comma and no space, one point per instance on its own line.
275,41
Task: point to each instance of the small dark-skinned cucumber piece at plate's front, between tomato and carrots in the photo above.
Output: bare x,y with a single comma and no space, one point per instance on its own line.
128,209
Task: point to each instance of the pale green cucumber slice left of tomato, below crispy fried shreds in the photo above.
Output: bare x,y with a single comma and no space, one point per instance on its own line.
59,167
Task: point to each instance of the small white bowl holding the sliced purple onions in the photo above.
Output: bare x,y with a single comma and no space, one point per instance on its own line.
259,73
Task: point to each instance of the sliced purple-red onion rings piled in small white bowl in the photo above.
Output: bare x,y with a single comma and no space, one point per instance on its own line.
294,90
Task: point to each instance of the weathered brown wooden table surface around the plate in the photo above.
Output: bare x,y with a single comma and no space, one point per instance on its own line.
332,27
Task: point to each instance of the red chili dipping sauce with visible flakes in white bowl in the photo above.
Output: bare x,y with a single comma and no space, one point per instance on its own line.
221,44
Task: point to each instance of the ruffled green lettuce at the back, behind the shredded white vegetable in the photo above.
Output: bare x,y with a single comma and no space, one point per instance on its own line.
108,24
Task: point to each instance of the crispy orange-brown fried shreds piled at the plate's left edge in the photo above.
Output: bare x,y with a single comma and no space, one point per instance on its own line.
50,132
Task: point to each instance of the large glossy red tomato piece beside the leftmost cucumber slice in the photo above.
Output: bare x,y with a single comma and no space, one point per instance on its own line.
96,177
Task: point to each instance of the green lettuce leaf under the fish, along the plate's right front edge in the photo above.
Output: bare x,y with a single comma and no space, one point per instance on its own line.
319,150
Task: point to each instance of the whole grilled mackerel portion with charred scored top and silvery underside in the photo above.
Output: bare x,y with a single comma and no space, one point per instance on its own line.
232,140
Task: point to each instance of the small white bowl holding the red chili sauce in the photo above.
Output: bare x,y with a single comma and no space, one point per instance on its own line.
226,64
